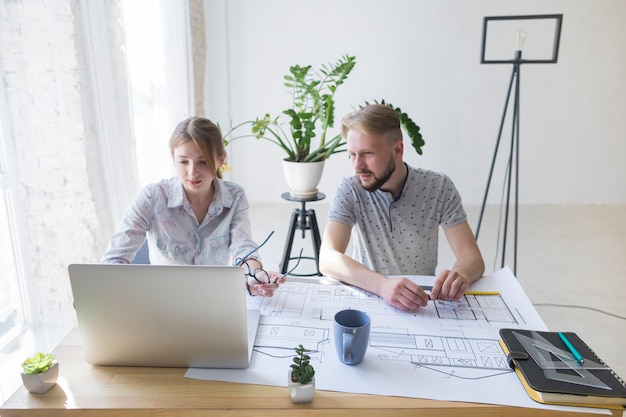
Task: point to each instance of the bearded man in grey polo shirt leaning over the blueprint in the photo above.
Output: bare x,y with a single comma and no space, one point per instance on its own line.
396,211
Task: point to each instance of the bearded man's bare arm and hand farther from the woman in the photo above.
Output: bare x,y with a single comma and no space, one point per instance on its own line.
469,265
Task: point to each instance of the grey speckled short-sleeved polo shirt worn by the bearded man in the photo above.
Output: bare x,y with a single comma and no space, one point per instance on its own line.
398,237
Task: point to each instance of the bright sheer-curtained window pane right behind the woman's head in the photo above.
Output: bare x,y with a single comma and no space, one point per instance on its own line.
157,61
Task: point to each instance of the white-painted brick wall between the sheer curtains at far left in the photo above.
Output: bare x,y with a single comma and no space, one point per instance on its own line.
41,65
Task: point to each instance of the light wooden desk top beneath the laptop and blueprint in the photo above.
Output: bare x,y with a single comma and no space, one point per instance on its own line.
85,390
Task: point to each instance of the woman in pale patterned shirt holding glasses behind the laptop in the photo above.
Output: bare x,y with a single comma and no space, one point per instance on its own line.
195,218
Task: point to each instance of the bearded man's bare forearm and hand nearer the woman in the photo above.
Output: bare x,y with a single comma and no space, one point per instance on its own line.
399,292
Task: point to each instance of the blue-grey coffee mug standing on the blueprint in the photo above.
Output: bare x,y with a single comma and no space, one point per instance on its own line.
352,334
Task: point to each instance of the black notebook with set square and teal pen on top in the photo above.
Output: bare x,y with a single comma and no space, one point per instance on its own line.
554,373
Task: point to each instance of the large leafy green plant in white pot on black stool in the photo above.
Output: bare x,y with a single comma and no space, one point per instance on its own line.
303,137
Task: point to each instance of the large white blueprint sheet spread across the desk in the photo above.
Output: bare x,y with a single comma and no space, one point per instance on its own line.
446,350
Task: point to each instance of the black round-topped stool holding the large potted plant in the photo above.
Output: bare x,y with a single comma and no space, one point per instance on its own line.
302,219
